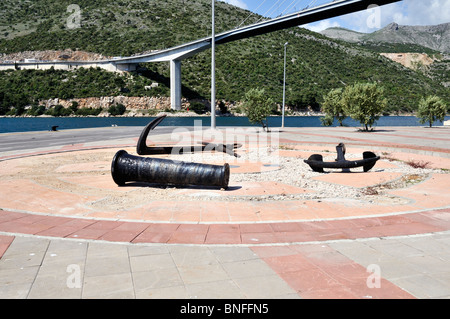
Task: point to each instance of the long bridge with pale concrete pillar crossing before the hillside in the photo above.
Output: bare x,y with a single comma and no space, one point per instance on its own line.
175,55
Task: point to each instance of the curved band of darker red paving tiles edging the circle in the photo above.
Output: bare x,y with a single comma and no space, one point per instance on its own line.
237,234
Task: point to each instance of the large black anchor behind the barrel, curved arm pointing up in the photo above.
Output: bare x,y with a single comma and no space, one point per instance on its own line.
143,149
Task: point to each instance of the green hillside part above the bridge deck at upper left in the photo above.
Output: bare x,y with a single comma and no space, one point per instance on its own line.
117,27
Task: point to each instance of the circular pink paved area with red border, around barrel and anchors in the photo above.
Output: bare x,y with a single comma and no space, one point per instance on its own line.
273,197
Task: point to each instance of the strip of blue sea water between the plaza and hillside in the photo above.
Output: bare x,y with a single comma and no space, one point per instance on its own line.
27,124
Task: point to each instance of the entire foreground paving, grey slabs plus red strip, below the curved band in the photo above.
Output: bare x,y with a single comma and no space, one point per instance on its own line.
336,269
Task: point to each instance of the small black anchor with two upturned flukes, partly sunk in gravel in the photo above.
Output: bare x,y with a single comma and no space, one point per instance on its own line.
317,164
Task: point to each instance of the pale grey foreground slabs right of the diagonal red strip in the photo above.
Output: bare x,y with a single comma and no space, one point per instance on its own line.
419,265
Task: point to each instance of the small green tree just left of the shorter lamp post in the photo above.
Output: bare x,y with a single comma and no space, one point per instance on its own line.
258,107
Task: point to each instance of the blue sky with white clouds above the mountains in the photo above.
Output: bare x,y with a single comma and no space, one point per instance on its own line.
406,12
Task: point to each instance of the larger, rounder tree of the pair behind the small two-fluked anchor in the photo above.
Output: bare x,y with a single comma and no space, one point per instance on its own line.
364,102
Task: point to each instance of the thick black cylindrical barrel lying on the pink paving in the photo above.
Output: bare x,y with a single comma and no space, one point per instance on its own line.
130,168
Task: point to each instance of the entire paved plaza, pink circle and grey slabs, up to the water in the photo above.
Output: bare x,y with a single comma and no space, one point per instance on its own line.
279,231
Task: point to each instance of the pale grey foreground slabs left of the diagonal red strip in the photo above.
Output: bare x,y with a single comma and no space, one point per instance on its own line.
128,271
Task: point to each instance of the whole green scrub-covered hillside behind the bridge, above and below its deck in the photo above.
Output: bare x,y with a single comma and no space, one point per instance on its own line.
316,63
